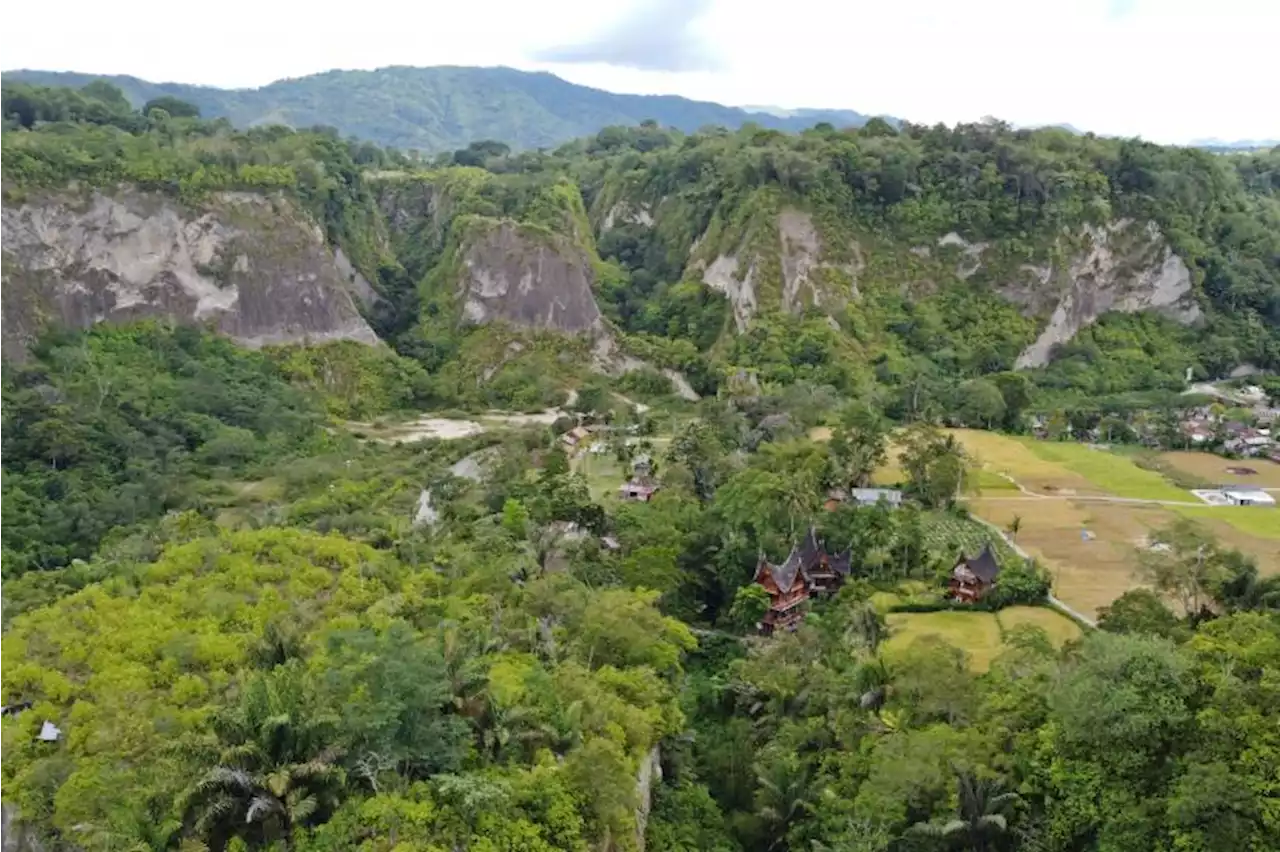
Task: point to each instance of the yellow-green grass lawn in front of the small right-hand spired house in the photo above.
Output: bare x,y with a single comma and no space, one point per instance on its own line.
980,635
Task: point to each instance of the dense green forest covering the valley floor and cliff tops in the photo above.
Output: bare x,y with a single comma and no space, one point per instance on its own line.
227,624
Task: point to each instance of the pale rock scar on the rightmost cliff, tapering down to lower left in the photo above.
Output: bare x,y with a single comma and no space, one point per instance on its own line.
1123,268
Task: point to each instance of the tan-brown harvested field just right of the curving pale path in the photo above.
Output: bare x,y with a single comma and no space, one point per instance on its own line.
1087,574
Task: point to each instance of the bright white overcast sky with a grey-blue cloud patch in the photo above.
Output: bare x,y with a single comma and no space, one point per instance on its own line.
1171,71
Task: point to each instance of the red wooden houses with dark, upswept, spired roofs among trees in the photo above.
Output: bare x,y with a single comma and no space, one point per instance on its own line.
812,570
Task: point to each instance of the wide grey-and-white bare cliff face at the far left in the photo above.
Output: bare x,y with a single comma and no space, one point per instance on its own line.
250,265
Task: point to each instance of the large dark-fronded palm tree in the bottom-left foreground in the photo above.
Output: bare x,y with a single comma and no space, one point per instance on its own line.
277,772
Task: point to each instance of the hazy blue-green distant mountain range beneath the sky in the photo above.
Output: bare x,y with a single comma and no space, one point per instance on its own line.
447,108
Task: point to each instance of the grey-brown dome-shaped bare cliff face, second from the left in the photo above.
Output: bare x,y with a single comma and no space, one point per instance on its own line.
528,281
